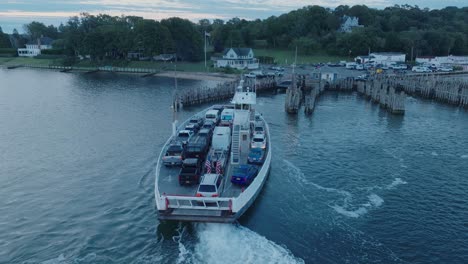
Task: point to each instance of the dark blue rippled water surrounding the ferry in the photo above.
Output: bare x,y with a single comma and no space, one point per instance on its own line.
349,184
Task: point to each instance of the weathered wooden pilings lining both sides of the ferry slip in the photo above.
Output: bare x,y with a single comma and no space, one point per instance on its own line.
388,91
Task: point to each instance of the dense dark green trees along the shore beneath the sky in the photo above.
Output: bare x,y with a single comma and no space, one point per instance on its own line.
312,29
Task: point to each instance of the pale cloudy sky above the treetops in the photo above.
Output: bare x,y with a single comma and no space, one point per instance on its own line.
16,13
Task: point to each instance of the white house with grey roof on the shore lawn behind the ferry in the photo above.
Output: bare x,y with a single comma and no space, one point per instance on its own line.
238,58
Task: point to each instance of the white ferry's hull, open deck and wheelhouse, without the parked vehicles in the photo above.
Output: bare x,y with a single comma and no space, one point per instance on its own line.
184,203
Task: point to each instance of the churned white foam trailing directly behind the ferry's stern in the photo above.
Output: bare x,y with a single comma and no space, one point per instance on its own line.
224,243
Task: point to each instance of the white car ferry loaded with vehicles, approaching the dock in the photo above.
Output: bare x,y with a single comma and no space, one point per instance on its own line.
227,176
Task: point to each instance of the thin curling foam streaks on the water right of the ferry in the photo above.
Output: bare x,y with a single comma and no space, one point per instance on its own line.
346,207
